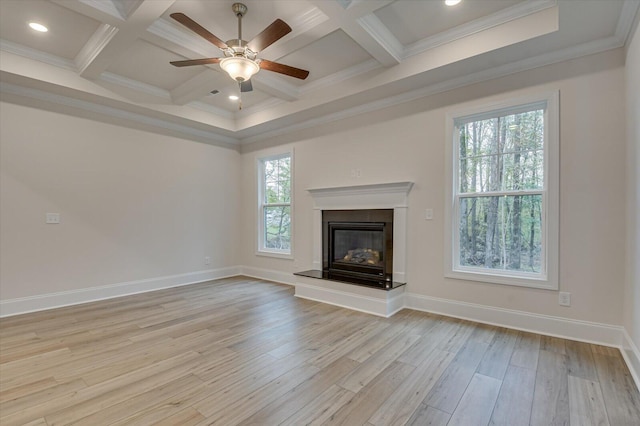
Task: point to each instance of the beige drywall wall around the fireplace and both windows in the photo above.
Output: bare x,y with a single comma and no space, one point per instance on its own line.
406,143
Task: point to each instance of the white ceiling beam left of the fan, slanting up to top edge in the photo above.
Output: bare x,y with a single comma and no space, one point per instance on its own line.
109,41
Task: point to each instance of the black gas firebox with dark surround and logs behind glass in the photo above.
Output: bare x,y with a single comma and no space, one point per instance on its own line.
358,244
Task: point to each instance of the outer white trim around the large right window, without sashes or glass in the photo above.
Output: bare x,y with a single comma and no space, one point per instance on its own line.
548,279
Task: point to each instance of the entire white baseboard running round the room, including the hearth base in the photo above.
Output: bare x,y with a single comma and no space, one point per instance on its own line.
585,331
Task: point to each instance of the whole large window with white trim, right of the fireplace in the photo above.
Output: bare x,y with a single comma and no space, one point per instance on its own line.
503,193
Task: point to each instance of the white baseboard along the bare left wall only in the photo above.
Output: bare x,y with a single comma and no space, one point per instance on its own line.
60,299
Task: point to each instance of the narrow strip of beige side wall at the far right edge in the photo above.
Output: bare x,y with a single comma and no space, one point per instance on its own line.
632,290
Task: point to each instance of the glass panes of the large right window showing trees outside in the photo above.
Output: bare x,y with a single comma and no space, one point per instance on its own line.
500,192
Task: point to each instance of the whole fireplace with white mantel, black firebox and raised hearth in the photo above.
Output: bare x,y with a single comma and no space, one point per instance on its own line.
331,285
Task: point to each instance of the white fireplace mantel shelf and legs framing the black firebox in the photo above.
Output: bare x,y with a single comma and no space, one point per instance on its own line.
394,195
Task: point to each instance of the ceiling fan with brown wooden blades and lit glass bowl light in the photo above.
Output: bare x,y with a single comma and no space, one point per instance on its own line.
240,59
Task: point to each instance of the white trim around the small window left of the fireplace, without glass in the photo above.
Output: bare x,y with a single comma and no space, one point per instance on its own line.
260,249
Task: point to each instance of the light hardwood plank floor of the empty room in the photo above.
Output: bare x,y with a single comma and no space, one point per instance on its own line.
241,351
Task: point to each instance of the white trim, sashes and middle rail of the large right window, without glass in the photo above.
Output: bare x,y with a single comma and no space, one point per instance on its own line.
548,217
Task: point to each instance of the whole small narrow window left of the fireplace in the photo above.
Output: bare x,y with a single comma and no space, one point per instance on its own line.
274,194
